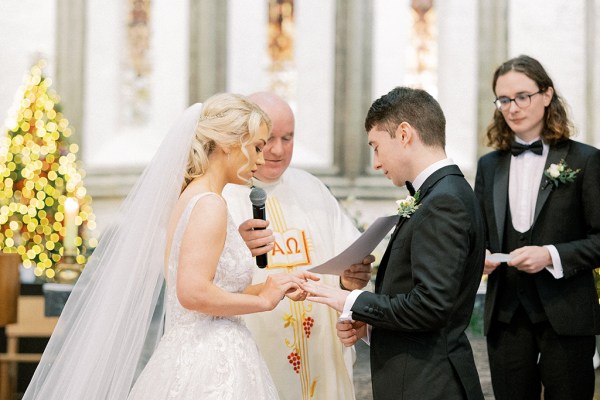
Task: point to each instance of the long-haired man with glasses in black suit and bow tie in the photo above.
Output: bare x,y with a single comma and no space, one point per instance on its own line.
539,192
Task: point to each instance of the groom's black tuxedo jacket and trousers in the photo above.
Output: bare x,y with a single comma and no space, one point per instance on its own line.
424,294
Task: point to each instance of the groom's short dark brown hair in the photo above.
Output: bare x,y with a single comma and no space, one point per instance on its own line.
415,106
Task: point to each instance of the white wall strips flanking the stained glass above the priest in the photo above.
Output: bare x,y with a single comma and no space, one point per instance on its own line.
311,81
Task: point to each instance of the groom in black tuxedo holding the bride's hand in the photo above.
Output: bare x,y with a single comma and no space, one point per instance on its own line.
430,272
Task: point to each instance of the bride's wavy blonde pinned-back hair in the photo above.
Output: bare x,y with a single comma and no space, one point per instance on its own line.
226,120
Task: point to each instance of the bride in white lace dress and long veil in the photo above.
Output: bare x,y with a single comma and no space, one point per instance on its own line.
173,224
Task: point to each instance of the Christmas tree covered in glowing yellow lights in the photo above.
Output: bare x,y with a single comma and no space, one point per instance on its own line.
45,212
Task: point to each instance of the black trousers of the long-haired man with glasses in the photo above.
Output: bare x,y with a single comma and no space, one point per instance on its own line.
524,356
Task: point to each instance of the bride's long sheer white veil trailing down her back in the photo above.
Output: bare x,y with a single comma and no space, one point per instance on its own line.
114,315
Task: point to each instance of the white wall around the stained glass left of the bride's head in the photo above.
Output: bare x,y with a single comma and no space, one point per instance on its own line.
115,133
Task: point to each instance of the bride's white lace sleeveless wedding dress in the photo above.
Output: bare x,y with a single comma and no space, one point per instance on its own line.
202,356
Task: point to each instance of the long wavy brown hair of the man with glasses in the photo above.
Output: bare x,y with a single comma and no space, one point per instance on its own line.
557,126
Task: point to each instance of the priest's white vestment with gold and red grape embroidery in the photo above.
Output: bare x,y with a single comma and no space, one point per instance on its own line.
298,339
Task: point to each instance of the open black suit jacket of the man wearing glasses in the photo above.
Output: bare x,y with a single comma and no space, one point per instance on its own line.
568,217
